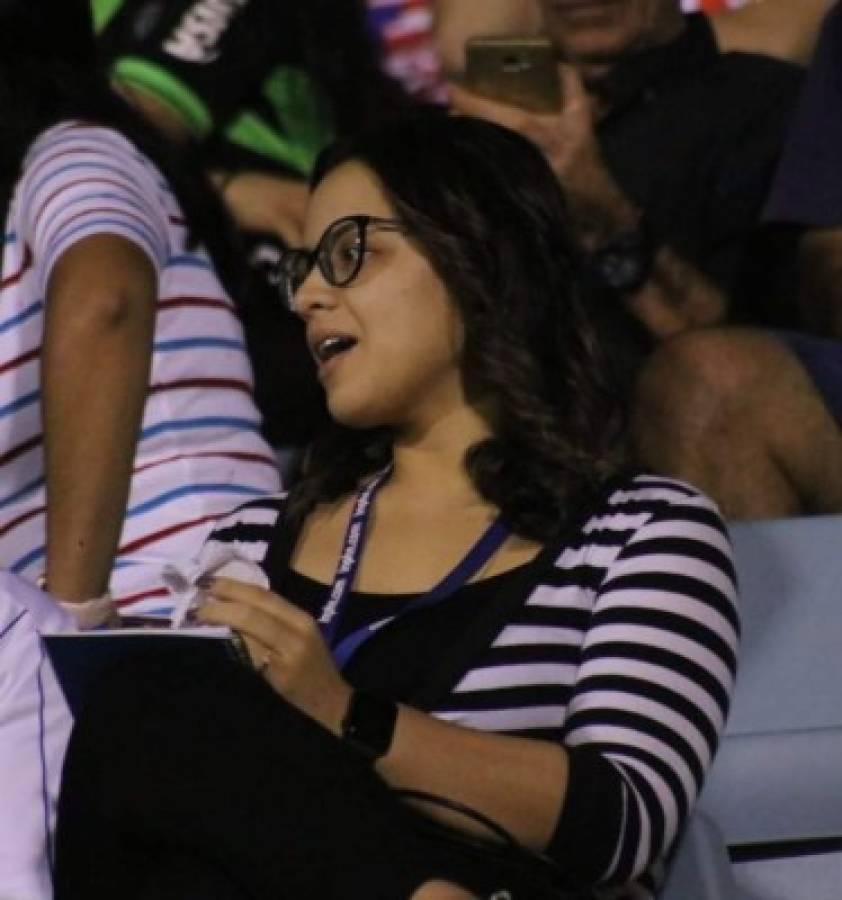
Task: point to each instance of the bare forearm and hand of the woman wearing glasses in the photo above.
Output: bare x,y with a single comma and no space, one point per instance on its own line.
519,783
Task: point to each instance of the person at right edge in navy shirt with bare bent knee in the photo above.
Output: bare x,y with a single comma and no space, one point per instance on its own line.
755,417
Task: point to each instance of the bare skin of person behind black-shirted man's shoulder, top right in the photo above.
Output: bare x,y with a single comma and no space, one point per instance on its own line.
774,27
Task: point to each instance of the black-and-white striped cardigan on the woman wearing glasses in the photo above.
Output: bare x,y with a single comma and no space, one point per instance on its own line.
623,649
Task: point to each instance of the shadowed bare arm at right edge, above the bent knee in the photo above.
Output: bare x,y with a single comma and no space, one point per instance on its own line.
820,295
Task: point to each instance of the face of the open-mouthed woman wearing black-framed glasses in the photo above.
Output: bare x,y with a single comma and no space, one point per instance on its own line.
387,345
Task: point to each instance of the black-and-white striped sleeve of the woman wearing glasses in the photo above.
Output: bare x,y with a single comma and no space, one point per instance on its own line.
657,669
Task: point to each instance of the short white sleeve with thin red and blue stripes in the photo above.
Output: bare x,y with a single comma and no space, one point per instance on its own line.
81,181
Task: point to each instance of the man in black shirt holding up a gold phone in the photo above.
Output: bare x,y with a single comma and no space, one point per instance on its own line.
666,148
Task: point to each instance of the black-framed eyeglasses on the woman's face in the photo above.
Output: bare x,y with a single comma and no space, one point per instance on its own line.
339,255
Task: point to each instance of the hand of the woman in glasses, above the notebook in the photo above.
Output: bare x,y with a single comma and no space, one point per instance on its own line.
286,646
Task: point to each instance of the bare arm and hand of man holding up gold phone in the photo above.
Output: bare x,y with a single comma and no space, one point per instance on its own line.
677,296
